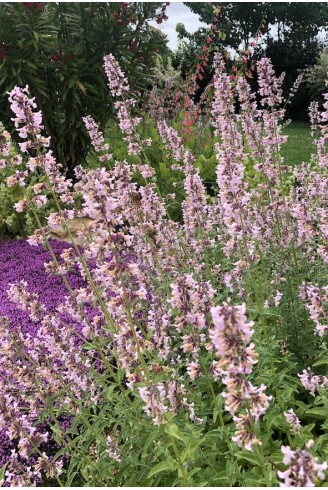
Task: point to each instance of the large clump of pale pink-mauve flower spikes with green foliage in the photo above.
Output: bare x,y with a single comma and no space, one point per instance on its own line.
193,352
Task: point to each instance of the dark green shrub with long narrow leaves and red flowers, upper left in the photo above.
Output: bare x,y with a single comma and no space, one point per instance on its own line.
58,48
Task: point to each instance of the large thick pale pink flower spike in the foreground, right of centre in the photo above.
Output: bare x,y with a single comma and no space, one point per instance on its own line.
231,337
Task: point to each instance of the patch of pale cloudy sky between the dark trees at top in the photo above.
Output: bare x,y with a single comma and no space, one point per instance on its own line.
177,12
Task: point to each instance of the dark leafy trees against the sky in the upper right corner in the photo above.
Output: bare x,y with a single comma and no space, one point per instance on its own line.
289,33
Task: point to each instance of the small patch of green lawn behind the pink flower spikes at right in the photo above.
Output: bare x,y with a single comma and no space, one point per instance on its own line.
299,145
